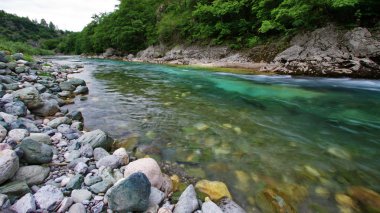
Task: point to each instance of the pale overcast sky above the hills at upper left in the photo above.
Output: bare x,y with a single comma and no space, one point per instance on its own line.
71,15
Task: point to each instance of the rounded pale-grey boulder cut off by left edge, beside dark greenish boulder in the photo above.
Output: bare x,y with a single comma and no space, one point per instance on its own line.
8,164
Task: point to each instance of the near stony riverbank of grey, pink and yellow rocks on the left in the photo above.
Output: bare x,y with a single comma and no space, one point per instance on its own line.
49,164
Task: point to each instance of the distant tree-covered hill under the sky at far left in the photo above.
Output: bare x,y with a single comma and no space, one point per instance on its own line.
21,29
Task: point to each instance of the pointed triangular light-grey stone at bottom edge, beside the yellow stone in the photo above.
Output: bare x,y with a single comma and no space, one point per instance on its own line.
187,202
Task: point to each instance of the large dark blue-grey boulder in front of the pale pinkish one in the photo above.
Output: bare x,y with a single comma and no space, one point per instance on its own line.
130,194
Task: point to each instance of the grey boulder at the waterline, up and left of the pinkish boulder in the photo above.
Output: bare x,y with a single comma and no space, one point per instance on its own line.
96,138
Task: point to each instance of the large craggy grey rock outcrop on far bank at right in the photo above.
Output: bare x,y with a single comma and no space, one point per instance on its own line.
331,52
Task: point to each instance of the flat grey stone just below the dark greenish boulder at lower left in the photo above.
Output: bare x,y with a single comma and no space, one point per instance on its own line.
33,175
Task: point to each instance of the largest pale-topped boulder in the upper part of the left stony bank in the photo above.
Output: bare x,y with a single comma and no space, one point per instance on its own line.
30,97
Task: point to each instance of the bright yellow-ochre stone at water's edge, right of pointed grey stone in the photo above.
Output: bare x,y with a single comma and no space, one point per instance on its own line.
216,190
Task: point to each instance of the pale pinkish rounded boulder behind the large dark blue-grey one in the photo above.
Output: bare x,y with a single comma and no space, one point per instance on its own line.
149,167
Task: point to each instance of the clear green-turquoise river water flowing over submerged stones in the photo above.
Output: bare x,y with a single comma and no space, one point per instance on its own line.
250,131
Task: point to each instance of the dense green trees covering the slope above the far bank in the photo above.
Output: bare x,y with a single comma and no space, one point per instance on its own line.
135,24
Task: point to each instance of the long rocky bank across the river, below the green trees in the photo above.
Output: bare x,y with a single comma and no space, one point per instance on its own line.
326,52
